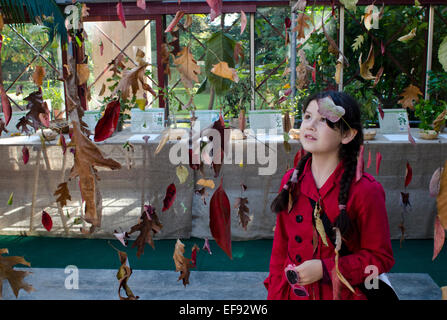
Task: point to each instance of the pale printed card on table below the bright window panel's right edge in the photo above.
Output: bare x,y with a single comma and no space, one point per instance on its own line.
147,121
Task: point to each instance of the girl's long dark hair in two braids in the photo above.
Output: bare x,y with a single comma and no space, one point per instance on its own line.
347,152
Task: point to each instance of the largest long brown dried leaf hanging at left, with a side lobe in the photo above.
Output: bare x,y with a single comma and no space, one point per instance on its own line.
87,156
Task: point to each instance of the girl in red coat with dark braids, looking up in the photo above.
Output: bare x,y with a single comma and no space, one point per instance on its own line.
320,199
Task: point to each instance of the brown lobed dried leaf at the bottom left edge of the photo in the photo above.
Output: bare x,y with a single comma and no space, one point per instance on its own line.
15,278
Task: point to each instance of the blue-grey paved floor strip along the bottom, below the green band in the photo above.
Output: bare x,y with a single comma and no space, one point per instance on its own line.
101,284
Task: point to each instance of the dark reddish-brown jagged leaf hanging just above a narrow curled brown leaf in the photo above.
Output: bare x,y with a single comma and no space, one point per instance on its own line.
147,224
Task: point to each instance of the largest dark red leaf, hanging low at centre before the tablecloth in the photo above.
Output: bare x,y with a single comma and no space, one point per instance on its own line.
220,219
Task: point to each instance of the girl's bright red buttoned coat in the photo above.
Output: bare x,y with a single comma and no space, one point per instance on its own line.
369,243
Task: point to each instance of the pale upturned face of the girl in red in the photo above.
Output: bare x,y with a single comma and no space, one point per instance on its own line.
315,135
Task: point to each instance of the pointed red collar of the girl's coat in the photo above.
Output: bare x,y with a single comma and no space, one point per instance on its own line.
308,186
